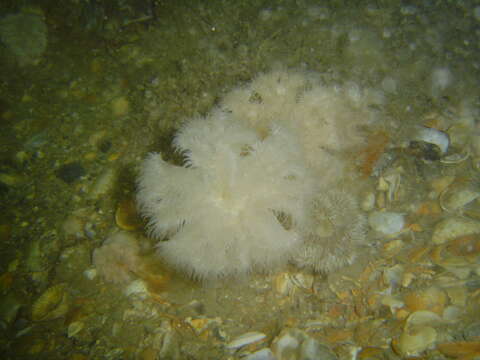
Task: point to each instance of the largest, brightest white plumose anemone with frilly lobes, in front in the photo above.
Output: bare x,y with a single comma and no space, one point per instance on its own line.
235,206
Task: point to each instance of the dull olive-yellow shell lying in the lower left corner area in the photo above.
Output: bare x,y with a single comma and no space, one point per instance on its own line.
52,304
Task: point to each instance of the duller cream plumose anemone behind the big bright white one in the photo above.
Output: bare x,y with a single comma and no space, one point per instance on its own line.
326,119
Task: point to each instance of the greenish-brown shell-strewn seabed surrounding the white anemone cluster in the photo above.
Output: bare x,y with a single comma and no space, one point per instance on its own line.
88,89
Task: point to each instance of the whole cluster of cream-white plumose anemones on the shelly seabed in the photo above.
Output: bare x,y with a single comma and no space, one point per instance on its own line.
257,180
